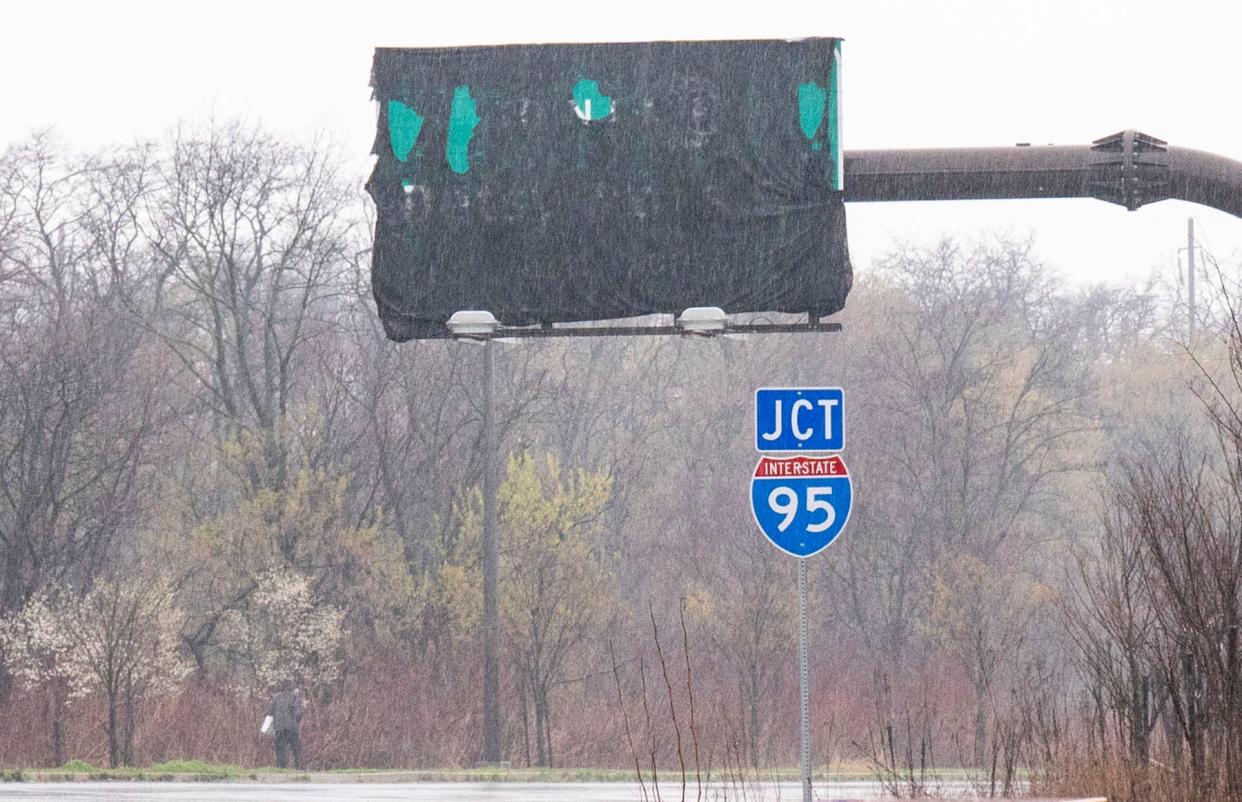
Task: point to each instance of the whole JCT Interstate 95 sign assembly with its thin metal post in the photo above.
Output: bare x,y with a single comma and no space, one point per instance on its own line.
802,502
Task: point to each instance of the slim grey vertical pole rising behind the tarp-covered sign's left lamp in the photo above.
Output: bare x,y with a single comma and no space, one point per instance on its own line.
491,568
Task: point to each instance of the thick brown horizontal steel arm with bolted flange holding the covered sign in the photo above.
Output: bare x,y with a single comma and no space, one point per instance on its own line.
1130,168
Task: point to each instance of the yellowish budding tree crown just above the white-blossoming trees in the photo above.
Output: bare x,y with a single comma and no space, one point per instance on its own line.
306,528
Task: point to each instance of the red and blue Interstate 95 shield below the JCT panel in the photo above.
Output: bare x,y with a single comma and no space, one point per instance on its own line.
802,503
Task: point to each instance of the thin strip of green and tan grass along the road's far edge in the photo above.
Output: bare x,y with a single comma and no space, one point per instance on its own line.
202,772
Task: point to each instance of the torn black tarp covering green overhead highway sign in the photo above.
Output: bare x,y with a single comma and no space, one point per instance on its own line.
550,183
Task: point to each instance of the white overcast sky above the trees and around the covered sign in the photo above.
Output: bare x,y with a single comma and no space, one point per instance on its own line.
916,75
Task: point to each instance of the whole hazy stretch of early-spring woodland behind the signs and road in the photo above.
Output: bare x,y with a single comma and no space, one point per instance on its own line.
215,474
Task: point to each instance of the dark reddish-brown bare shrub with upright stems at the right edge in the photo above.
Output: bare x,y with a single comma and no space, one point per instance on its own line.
1161,603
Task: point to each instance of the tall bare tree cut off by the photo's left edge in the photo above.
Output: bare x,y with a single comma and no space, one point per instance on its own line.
75,419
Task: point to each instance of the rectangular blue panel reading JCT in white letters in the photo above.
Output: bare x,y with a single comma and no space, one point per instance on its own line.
799,419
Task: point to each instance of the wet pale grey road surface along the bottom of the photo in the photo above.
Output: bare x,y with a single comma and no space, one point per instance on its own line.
414,793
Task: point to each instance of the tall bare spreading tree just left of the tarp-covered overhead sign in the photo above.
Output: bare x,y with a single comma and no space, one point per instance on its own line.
254,239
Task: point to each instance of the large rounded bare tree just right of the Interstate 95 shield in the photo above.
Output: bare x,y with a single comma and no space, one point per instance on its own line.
973,397
